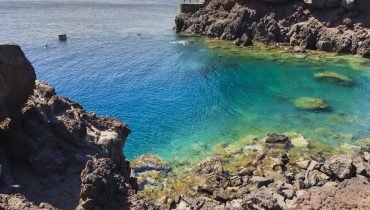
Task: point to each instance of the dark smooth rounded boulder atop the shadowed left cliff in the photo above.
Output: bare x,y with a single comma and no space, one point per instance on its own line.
17,79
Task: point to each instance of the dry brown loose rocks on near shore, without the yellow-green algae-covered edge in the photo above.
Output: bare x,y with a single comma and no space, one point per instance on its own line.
275,181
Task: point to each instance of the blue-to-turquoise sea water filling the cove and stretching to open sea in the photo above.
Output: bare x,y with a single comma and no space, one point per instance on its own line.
172,94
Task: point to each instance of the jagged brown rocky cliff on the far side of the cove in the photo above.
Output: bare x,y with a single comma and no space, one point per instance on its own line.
340,26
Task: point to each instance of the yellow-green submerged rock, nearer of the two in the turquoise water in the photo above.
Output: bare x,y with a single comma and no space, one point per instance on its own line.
311,104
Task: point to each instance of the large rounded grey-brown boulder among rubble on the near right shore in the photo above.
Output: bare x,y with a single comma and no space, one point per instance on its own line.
339,167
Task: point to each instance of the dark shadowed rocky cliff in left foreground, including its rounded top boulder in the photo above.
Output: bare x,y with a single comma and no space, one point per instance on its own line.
54,154
